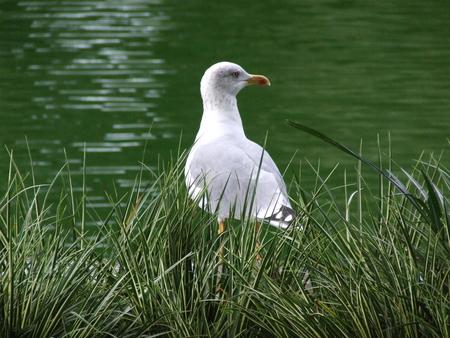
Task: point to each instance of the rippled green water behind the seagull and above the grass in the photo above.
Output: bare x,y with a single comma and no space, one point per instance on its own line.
100,73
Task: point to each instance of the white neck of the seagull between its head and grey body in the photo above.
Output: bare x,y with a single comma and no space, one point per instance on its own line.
221,116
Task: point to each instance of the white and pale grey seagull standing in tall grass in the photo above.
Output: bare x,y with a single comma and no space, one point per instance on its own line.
226,173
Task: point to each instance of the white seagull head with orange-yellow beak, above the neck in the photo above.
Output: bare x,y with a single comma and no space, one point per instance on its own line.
226,78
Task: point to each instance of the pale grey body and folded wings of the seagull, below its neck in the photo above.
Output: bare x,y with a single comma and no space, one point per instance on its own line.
237,178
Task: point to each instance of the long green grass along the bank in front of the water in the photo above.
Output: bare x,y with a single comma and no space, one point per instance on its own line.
372,261
